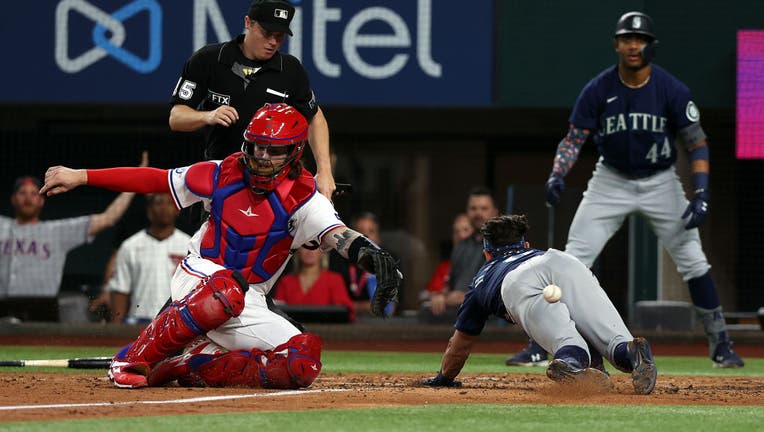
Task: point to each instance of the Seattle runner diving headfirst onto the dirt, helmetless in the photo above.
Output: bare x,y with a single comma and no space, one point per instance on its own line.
510,285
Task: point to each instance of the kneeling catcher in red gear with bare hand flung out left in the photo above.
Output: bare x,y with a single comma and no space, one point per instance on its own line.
263,205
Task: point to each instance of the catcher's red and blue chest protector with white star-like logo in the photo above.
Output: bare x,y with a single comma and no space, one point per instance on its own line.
249,232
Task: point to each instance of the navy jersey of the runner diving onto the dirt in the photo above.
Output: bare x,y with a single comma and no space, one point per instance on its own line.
483,298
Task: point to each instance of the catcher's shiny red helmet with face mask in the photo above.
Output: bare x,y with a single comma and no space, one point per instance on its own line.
273,144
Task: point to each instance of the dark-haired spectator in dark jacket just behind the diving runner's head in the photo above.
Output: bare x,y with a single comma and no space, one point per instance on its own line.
467,256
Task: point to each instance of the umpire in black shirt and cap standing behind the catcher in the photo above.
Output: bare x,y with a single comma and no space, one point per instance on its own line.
222,85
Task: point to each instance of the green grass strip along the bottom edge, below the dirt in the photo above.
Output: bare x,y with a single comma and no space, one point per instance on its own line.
436,418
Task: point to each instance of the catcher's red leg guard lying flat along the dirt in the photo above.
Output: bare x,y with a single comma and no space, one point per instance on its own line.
293,364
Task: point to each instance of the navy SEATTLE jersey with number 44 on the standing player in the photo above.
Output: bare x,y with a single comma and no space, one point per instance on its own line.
634,129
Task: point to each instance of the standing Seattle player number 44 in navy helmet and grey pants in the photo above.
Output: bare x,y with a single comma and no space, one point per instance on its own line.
634,112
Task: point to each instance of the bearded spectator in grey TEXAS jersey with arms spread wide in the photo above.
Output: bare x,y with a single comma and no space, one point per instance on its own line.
33,252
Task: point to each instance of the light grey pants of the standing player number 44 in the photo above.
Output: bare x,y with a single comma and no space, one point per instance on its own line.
610,197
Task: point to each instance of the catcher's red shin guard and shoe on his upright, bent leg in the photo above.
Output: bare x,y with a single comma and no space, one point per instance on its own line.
214,301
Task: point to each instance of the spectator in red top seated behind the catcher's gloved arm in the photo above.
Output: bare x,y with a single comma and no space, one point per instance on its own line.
312,283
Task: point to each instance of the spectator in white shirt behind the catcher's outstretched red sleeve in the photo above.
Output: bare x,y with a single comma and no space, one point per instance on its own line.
145,264
